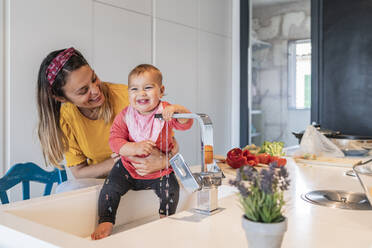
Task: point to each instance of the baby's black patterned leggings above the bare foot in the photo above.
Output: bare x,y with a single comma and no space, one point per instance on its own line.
120,181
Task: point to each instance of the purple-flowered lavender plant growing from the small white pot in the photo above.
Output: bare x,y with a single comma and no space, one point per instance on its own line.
261,193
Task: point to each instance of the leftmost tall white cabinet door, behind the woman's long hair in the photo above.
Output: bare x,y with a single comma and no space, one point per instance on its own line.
35,29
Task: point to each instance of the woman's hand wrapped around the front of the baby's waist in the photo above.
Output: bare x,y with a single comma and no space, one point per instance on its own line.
155,161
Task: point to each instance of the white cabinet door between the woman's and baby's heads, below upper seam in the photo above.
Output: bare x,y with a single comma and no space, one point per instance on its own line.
122,40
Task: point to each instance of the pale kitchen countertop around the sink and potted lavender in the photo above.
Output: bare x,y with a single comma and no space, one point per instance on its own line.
308,225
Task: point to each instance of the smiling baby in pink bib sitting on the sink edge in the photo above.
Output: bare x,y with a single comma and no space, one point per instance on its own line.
136,132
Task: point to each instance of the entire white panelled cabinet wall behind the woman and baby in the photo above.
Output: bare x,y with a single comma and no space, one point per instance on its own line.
189,40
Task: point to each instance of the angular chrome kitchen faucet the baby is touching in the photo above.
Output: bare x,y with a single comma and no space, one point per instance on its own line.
206,181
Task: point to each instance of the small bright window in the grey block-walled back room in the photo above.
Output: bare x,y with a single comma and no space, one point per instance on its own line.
299,74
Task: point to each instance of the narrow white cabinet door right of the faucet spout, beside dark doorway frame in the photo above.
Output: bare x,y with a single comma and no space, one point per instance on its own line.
215,86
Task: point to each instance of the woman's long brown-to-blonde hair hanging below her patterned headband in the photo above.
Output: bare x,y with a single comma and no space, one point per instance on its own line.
53,141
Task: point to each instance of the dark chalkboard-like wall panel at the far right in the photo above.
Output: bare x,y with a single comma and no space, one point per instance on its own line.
345,90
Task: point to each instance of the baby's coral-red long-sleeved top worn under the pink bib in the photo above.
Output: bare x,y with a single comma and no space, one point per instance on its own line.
119,135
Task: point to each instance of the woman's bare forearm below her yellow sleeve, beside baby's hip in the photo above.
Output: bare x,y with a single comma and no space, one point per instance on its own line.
99,170
